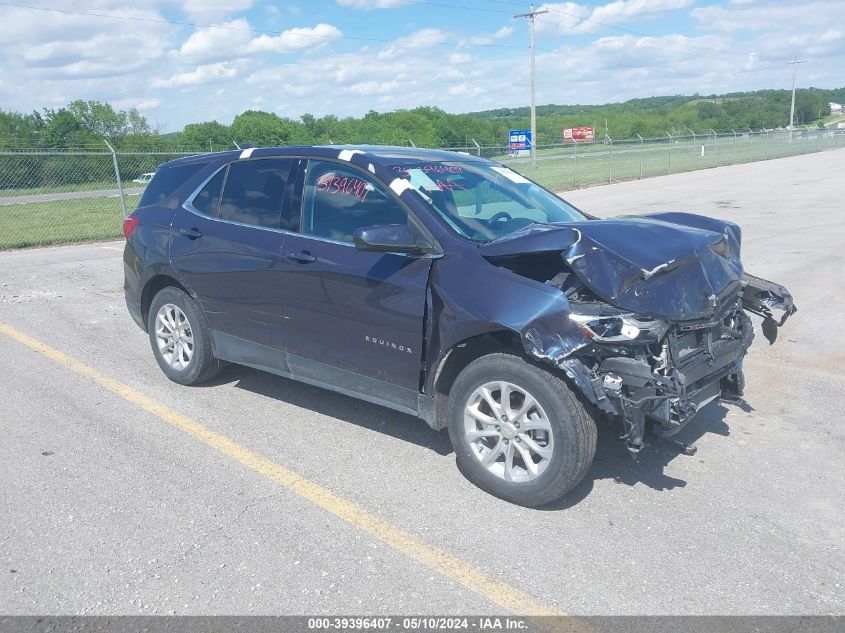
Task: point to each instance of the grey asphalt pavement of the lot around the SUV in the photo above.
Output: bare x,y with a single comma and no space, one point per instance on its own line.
107,509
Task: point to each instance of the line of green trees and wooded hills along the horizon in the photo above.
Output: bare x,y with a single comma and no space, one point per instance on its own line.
85,124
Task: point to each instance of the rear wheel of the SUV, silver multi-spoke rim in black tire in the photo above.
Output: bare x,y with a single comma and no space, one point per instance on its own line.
180,338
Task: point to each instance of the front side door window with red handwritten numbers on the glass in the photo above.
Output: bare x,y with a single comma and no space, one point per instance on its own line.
338,199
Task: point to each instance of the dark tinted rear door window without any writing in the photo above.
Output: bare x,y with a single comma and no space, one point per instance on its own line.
254,191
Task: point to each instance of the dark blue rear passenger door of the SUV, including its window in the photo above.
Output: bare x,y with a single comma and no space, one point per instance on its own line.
225,247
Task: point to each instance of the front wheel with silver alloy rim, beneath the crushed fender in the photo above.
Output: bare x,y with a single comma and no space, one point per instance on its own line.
518,431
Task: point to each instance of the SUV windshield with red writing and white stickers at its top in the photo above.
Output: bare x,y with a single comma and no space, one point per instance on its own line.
484,201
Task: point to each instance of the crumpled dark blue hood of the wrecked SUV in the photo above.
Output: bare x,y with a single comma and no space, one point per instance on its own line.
676,266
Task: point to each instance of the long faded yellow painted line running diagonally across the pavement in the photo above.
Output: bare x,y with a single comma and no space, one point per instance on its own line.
508,597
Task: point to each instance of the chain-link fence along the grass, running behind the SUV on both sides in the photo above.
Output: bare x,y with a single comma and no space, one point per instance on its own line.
52,197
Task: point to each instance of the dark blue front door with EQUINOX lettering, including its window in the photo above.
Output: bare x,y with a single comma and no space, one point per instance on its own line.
361,313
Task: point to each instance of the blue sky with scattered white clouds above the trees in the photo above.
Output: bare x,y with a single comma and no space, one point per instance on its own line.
181,61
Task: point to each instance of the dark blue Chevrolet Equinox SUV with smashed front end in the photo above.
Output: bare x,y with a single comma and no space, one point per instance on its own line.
451,288
